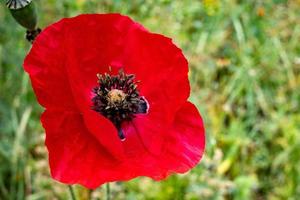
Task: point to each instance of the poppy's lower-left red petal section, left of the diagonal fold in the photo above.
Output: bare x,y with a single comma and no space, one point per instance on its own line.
74,155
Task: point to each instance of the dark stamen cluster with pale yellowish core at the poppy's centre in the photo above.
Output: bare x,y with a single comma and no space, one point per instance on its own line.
117,98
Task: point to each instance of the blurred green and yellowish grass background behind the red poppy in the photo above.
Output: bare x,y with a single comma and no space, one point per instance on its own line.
245,75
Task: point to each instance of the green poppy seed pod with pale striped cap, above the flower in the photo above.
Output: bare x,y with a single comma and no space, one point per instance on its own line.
24,12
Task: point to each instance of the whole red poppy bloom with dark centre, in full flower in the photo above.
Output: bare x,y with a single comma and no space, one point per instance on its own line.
115,99
